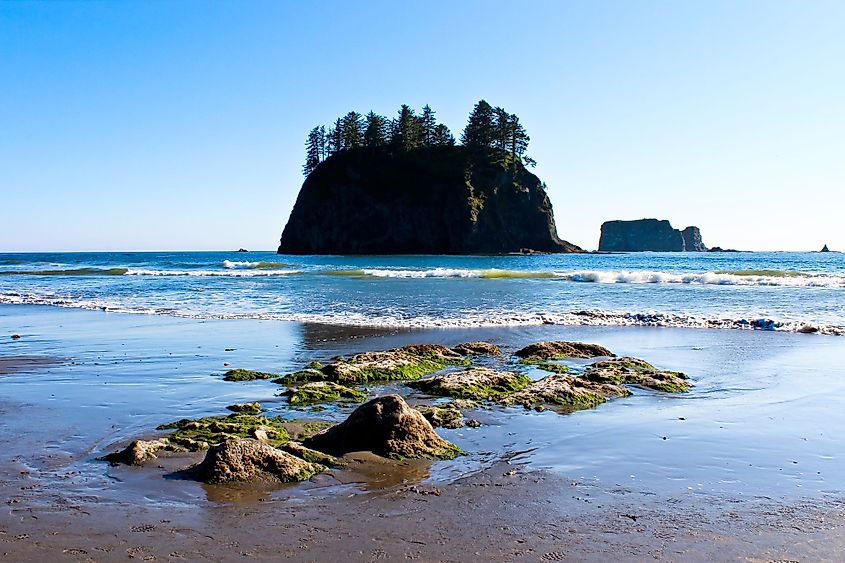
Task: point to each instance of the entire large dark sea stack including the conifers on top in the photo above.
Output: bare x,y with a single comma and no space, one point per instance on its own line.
404,186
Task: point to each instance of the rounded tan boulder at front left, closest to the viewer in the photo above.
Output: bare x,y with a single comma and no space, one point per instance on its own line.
240,459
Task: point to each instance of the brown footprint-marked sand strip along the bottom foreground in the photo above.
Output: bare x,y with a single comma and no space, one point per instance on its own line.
501,513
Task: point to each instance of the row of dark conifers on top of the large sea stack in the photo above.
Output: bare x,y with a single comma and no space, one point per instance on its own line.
487,128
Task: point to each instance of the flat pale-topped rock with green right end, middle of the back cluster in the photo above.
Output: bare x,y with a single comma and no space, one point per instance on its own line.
472,383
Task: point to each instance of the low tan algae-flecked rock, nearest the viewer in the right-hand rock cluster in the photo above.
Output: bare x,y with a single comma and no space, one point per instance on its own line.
565,391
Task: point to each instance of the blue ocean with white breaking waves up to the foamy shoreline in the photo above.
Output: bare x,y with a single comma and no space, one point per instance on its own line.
781,291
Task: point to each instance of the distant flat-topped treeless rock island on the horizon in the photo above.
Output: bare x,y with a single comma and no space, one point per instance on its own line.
649,235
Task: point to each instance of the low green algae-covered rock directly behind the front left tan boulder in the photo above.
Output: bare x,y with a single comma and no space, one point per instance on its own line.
202,433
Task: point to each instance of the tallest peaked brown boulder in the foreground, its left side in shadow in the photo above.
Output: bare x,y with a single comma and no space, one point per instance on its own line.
388,427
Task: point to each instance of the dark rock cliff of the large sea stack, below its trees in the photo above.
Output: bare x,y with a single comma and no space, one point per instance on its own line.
442,200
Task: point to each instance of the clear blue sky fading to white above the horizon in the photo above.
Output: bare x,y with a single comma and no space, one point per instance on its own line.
180,124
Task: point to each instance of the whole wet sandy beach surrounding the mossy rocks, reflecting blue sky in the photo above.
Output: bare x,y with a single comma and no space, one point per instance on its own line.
746,467
